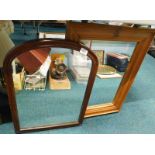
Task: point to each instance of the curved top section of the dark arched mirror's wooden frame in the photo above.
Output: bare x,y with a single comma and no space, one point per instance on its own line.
43,43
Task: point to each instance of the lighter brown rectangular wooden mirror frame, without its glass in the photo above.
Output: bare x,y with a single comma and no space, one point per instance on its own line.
91,31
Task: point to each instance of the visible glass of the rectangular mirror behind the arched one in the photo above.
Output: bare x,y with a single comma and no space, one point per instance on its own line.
113,57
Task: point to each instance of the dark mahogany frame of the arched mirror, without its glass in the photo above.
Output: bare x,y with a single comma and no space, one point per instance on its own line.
44,43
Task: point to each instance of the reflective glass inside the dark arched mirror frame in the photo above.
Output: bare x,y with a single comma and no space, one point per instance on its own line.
50,85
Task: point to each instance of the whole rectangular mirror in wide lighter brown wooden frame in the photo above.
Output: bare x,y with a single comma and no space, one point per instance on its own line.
120,51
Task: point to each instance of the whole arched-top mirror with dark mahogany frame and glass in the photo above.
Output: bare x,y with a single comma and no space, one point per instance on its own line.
49,83
